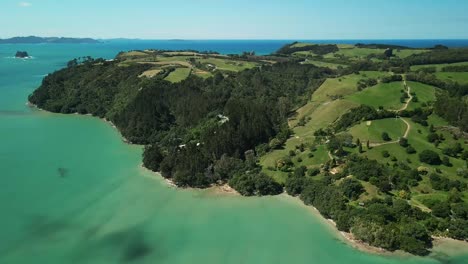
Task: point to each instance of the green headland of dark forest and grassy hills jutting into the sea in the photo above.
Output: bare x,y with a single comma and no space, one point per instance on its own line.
266,125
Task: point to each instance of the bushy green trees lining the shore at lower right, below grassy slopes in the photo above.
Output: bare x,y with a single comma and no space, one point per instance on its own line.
389,223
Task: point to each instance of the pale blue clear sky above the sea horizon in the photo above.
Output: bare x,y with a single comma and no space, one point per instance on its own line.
236,19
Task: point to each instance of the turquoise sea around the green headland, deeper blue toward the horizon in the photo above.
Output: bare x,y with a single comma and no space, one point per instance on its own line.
72,192
